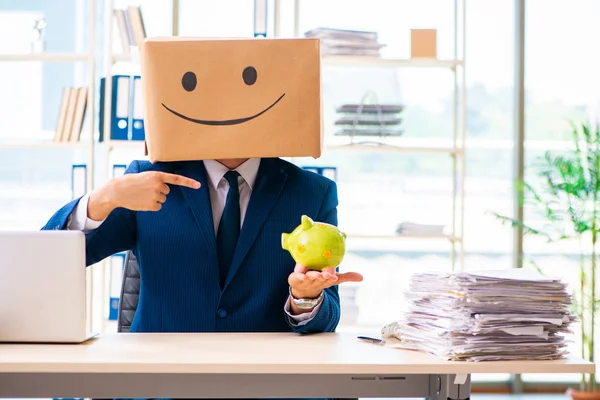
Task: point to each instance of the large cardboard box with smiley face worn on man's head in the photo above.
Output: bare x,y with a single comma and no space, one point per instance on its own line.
231,98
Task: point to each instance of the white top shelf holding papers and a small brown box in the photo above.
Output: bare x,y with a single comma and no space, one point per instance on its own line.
377,62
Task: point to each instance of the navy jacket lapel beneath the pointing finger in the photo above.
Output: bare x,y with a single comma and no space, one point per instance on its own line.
199,202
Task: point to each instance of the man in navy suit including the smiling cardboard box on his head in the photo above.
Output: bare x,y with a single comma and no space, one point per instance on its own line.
207,233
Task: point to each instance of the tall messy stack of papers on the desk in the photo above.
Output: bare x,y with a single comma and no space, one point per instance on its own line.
514,314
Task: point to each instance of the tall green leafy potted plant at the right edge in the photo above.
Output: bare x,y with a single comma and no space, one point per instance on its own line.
566,194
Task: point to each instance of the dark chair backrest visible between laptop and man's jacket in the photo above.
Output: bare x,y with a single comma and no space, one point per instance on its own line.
130,293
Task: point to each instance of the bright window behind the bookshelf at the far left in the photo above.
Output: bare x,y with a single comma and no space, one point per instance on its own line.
34,182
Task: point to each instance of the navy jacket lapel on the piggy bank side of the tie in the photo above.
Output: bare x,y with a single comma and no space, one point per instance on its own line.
267,187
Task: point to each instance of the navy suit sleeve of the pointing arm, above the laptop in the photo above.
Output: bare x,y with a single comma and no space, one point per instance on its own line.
116,234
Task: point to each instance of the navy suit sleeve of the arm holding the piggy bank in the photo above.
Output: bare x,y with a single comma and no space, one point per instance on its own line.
328,316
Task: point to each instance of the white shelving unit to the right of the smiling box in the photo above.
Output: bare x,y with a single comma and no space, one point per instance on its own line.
456,146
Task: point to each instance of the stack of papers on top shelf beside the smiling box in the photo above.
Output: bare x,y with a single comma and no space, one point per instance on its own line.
346,42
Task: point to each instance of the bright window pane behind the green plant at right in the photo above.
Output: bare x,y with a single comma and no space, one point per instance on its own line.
561,86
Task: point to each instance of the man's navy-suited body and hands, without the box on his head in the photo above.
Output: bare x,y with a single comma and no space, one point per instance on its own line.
207,237
